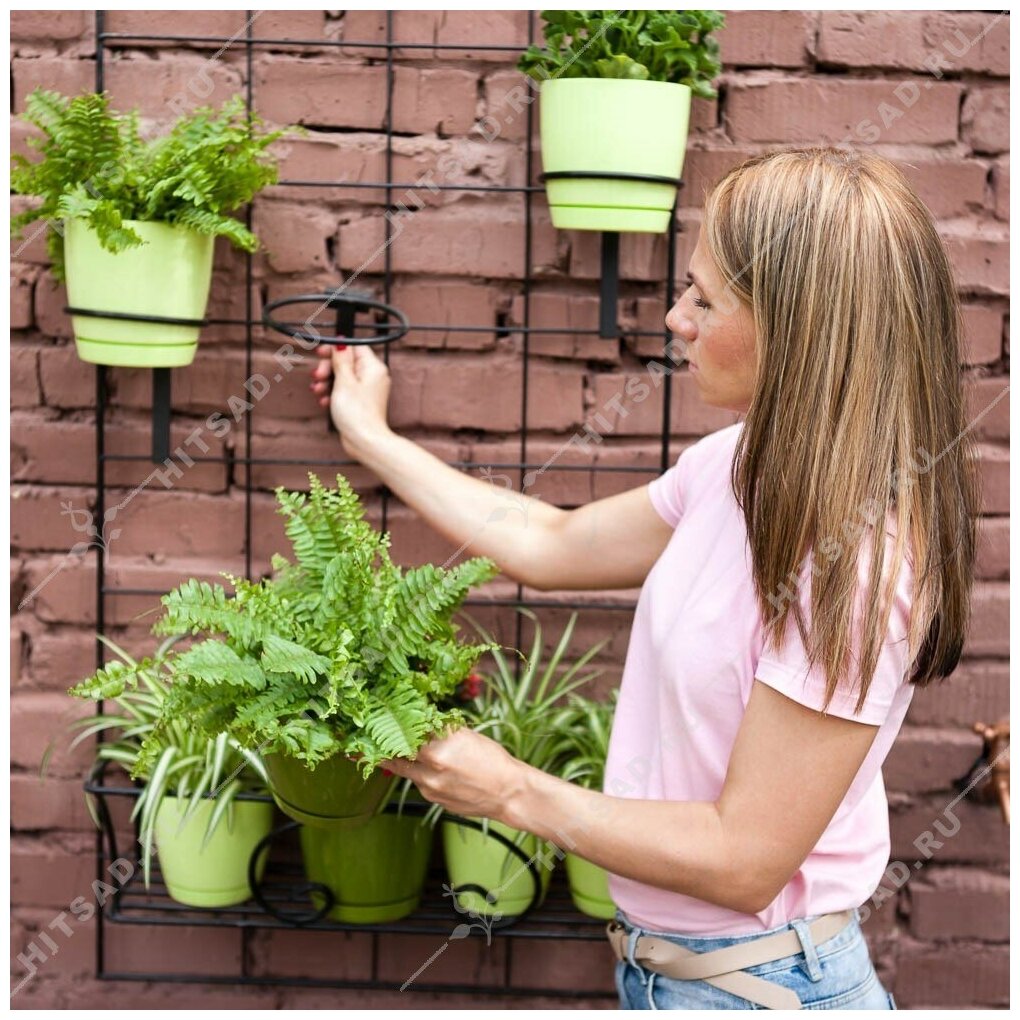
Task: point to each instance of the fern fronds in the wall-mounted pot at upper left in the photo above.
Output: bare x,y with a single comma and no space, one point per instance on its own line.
95,167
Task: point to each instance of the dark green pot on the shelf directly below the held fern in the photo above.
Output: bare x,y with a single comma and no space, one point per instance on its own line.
376,872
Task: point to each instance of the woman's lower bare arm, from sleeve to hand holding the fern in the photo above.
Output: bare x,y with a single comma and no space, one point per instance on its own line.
790,770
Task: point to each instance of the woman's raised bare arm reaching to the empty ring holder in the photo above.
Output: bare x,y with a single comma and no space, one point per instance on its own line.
608,544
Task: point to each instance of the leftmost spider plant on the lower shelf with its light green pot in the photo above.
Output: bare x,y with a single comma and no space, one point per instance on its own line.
199,806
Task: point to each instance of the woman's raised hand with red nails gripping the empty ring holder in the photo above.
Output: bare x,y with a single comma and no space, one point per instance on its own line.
360,394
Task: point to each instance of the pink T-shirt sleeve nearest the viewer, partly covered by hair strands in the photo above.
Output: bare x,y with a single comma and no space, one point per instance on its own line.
787,671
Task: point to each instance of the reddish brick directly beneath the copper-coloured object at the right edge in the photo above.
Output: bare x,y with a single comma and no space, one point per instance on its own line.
970,833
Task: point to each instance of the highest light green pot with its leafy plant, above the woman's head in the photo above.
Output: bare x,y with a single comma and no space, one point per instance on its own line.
617,90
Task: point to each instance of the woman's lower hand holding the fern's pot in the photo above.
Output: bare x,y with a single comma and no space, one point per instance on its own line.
466,773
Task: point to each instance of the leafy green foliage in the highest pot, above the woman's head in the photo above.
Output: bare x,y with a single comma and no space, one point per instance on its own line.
642,45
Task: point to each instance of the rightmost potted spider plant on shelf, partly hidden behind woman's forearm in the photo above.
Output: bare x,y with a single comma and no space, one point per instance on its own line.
585,744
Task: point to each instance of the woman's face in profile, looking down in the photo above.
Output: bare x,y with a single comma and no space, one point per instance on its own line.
720,333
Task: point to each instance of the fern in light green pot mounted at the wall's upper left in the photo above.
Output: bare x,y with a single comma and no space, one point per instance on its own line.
135,221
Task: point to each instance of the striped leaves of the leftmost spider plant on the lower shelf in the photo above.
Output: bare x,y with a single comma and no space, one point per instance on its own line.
169,756
